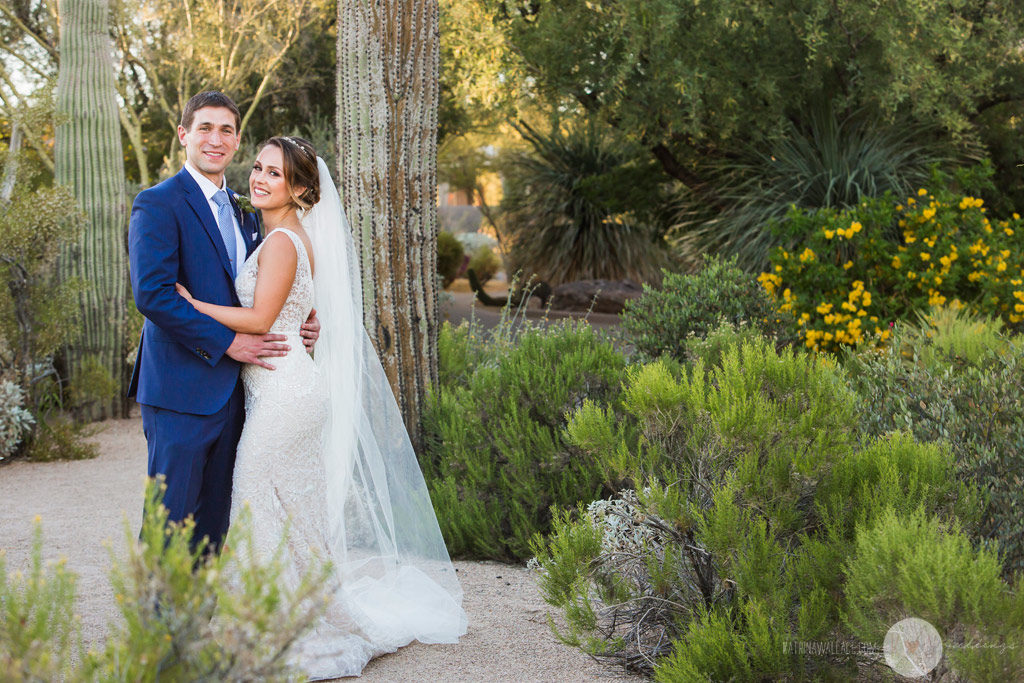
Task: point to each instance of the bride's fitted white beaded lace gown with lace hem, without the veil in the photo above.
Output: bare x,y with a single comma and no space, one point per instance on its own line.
279,474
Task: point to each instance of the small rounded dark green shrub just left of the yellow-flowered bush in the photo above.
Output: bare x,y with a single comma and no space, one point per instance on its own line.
662,320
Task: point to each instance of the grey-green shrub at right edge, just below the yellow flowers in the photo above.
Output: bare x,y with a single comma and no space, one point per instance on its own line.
961,383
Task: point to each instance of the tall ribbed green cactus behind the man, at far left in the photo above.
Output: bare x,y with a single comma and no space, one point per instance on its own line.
90,160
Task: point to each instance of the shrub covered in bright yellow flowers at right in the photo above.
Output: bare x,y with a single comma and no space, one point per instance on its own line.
859,271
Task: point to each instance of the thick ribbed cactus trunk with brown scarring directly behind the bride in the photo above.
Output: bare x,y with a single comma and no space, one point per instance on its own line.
388,121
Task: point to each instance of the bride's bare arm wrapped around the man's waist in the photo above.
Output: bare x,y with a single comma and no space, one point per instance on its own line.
278,261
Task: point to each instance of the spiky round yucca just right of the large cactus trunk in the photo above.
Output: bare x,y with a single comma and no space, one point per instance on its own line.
582,206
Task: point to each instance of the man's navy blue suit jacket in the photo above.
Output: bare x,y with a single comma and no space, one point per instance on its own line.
174,238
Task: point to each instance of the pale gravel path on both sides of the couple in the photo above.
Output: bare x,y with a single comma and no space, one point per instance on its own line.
84,506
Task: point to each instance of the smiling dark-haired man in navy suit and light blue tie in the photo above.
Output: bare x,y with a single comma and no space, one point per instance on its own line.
190,230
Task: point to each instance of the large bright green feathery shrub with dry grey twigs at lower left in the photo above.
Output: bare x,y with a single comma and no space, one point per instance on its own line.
751,485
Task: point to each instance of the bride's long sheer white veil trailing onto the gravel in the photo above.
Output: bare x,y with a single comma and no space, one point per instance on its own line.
397,580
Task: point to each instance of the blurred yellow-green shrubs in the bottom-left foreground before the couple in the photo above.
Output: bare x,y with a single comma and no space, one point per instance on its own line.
184,616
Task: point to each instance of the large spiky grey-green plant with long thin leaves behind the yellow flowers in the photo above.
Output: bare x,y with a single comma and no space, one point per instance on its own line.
833,164
